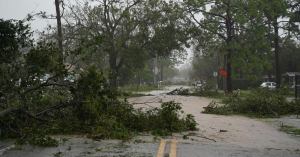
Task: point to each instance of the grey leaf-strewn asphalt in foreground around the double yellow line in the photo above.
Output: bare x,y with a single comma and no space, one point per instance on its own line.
82,147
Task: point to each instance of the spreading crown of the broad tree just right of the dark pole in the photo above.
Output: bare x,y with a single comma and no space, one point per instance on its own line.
126,36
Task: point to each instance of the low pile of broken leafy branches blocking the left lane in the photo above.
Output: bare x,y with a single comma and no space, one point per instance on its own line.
89,107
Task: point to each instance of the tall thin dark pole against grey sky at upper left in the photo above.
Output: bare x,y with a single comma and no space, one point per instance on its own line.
59,31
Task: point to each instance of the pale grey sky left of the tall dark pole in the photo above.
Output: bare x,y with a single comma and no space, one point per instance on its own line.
18,9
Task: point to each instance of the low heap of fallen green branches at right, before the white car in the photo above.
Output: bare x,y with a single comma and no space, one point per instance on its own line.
260,103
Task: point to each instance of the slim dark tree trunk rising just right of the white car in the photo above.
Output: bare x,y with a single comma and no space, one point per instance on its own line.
276,53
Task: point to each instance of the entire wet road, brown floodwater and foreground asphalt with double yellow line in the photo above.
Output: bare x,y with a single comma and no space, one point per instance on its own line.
218,136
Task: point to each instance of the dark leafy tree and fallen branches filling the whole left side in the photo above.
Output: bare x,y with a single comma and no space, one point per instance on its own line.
42,96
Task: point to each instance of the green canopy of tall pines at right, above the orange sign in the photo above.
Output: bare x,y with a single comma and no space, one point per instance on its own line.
242,34
